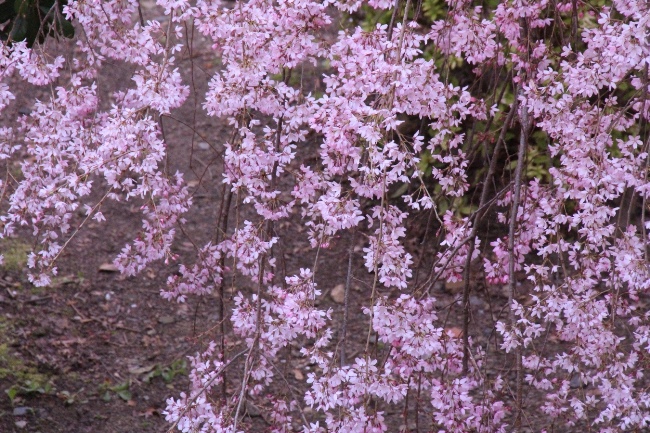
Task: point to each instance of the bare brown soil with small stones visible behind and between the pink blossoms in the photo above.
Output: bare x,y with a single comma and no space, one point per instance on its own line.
97,352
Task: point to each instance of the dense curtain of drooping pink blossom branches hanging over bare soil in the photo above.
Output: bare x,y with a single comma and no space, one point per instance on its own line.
568,79
